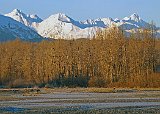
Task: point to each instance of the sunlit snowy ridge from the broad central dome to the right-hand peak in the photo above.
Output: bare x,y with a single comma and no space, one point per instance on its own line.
62,26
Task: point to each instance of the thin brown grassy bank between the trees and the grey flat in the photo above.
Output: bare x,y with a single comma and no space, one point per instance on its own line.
70,90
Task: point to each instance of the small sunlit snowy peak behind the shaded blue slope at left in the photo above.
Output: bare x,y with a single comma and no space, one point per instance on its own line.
28,20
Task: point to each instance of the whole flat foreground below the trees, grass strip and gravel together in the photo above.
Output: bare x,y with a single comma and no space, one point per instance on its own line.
80,100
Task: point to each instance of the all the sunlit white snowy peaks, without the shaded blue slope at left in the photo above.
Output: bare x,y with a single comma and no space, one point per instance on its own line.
62,26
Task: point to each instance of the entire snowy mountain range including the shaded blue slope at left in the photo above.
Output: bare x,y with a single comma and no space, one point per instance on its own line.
17,24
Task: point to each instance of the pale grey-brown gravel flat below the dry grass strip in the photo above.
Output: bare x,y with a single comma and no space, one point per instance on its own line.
85,100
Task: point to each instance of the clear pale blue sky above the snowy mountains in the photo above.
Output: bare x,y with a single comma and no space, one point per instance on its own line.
83,9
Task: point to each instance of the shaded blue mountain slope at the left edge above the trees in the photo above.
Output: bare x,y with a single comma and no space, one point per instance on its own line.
11,29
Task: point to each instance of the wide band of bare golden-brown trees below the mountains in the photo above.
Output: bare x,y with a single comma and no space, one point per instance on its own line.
108,60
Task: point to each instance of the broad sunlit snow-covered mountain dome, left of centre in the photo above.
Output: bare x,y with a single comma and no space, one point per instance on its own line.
62,26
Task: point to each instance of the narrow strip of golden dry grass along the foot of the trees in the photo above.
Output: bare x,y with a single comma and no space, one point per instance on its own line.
34,92
